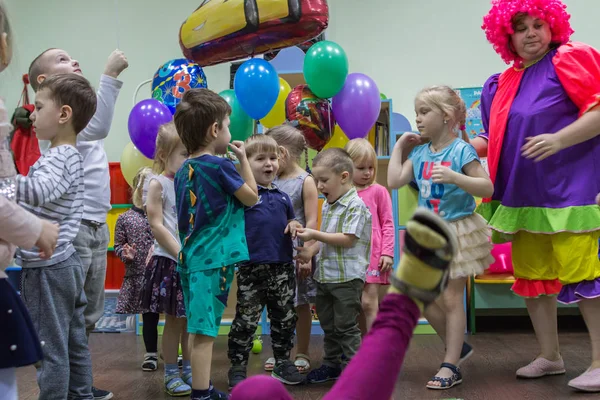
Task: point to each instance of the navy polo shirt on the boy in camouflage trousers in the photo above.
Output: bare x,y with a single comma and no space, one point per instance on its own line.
265,225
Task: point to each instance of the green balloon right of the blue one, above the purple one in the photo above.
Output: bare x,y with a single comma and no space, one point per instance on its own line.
325,68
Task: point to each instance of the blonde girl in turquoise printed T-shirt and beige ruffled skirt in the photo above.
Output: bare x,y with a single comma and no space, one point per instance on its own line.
448,173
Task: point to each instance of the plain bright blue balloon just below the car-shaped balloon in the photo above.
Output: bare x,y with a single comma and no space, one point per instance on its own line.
256,87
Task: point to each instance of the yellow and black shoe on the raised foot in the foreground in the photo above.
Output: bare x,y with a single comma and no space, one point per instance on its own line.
430,241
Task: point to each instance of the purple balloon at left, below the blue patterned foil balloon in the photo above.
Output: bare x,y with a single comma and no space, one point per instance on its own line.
145,119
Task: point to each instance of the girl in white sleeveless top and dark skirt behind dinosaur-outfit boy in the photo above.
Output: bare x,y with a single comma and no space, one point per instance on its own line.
162,291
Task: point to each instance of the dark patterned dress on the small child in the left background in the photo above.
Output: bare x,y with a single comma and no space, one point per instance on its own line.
132,229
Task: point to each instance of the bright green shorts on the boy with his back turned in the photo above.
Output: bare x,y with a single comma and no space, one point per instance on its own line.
205,295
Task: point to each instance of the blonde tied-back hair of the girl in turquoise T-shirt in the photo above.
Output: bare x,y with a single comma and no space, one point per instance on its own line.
449,103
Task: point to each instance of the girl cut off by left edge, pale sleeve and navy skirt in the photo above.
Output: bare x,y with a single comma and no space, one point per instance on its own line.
19,343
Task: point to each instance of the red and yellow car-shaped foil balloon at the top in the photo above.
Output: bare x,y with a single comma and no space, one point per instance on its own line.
220,31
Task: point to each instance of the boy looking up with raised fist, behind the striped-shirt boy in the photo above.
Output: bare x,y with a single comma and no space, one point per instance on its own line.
92,239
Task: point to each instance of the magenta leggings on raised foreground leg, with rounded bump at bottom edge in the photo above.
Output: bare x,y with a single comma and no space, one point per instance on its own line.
373,371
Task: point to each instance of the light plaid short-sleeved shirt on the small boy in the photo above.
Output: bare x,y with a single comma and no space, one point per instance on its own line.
337,264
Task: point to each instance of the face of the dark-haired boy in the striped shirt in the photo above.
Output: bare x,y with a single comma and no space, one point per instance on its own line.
47,115
